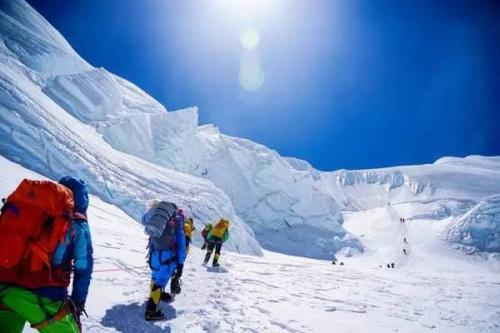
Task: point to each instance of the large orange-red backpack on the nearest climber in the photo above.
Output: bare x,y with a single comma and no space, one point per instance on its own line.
33,221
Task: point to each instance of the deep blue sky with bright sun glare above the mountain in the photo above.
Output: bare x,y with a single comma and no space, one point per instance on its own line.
342,84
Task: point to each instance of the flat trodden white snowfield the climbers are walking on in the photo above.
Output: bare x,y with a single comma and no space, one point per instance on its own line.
277,293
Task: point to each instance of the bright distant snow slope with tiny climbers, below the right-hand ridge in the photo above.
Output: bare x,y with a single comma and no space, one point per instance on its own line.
414,243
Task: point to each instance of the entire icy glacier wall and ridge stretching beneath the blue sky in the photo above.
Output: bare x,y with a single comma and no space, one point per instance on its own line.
59,115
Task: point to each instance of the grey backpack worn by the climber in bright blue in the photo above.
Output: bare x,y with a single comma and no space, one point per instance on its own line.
161,224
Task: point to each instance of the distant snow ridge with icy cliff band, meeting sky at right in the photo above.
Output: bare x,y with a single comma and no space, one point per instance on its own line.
460,179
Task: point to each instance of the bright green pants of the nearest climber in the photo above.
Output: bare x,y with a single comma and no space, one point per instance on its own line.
19,305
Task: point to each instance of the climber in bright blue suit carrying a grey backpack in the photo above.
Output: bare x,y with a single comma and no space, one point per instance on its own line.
164,223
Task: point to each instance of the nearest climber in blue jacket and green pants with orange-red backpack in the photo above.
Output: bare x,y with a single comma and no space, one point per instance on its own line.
44,236
